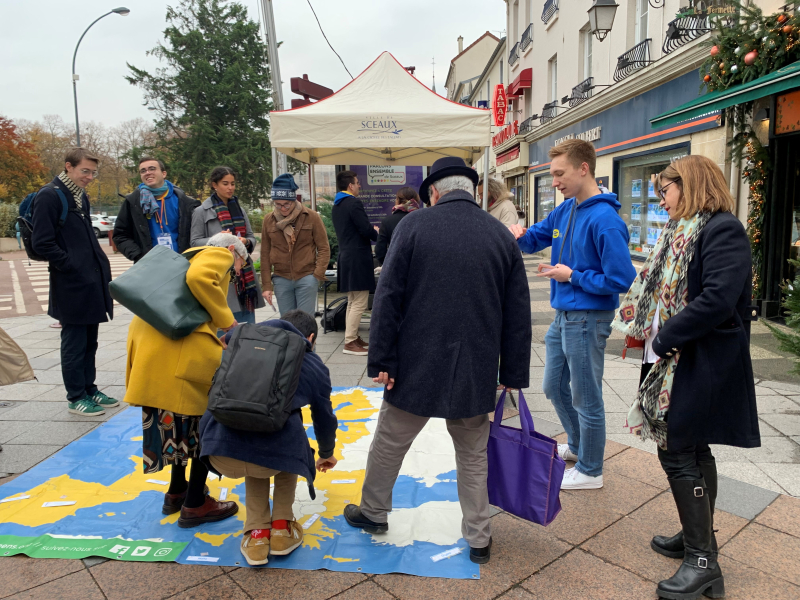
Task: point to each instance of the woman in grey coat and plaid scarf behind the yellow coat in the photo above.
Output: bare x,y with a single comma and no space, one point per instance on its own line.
222,212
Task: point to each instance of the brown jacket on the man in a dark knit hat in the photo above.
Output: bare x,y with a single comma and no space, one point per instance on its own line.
310,253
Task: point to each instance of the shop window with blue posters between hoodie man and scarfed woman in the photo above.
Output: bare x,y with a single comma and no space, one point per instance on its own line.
636,190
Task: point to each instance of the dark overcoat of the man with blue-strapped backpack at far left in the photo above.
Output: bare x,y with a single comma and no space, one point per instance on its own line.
79,269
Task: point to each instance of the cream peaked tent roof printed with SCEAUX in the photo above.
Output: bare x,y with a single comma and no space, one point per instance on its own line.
383,117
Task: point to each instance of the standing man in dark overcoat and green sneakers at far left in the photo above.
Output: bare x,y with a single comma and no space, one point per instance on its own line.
79,278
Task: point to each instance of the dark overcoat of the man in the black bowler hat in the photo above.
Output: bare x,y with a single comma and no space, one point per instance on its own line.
452,300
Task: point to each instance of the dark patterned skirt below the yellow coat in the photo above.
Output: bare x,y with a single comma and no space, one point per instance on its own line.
169,439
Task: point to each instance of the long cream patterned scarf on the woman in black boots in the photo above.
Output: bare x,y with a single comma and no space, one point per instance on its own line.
662,283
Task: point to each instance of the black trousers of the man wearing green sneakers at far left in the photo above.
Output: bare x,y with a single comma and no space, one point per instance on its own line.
78,350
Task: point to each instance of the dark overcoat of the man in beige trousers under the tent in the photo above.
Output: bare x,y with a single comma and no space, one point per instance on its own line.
354,267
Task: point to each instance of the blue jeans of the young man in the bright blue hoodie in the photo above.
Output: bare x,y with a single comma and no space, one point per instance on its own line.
573,381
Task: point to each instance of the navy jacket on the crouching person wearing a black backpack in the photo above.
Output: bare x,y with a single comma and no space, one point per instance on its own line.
286,450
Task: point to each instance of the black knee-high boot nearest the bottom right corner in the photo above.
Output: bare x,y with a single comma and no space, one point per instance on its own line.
699,574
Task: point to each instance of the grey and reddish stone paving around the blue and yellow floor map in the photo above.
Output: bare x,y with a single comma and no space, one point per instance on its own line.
598,547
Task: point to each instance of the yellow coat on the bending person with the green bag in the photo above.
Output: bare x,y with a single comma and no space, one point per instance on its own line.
176,375
